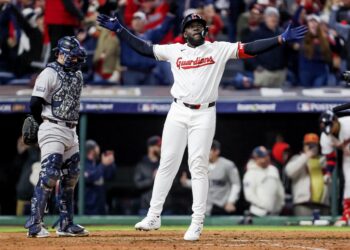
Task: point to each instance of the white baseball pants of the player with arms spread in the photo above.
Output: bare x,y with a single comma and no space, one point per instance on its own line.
194,128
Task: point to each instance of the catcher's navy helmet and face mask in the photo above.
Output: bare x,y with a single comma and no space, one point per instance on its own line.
74,54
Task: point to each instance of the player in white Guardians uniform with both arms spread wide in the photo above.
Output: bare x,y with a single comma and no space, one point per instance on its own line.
197,68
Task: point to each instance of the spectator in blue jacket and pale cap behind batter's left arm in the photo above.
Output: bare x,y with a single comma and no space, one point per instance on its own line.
142,70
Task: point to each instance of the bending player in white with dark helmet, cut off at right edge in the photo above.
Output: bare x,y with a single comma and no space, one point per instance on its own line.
336,135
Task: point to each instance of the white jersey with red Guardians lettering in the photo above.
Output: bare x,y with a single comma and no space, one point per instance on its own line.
197,71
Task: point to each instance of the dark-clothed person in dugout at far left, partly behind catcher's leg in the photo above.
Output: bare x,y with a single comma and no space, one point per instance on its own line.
25,158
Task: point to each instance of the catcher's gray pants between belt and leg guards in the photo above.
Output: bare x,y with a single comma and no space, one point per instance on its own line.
54,138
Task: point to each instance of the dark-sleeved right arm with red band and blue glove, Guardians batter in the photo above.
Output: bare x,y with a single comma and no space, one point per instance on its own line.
260,46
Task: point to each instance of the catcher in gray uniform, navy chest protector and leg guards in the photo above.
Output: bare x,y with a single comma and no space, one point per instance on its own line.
54,105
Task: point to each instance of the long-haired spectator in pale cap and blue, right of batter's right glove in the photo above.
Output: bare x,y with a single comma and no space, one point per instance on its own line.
315,55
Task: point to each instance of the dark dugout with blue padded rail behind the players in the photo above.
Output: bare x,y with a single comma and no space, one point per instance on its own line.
123,118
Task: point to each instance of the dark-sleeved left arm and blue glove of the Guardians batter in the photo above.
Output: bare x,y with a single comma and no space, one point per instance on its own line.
112,23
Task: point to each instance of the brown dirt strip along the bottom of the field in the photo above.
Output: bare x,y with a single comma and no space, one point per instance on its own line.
172,239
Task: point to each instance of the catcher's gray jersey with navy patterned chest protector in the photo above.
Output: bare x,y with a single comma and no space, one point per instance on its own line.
61,90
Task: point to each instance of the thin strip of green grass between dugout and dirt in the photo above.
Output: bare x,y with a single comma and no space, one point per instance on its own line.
92,228
